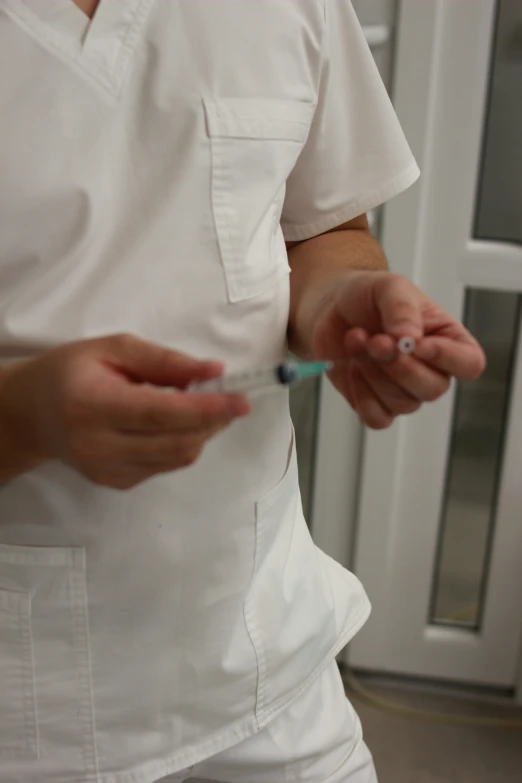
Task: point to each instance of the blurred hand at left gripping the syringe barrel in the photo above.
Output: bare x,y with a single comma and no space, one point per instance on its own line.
90,405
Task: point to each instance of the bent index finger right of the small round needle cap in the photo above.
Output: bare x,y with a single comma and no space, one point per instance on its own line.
463,359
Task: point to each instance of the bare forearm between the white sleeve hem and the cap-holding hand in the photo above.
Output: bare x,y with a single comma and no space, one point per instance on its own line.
318,265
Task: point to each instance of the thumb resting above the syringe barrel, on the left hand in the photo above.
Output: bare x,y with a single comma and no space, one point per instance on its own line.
150,363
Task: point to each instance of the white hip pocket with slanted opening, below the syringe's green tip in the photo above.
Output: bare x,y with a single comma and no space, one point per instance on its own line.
290,610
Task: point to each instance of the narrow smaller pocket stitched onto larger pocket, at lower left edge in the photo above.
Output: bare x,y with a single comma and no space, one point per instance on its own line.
18,723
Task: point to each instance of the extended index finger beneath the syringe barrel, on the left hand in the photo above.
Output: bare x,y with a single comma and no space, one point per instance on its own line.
145,409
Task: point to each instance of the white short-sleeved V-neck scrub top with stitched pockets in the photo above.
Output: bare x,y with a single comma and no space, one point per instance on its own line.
152,164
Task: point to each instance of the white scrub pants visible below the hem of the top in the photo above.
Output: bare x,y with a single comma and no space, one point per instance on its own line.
318,739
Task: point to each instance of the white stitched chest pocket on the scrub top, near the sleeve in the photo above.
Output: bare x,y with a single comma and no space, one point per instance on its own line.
255,145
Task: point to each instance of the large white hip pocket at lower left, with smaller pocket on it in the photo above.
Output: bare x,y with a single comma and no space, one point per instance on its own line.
46,707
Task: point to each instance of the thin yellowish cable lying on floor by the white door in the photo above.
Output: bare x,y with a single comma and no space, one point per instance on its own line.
353,684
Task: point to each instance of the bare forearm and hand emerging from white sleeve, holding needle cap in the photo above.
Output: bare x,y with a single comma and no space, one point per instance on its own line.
346,305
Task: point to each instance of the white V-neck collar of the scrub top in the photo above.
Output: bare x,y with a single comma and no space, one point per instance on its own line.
99,48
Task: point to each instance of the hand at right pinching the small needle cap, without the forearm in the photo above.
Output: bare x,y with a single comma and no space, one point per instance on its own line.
368,314
